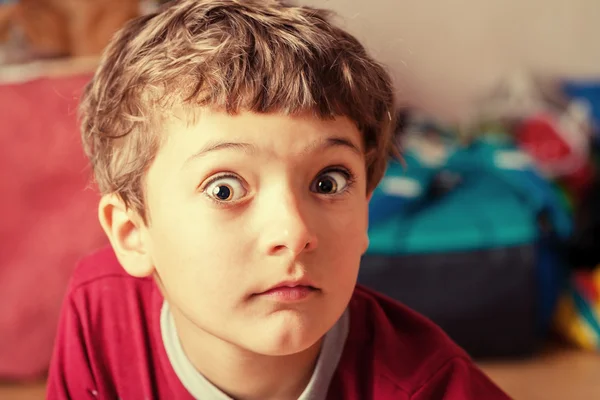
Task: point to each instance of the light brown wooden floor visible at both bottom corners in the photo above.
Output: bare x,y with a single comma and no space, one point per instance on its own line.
559,373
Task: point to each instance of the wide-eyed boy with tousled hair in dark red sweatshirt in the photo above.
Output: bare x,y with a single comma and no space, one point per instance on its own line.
236,144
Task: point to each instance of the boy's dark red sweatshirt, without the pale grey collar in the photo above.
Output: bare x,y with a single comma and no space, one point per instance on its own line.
109,346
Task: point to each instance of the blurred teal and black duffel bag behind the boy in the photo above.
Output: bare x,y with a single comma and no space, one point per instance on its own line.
474,243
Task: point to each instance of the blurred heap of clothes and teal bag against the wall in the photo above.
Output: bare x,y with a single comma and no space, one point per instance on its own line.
481,226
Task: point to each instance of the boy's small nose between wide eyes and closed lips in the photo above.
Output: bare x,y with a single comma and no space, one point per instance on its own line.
288,228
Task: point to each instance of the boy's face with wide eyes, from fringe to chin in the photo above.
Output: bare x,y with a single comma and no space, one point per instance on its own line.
258,223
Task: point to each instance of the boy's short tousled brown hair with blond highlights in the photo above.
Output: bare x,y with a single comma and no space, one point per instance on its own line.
262,56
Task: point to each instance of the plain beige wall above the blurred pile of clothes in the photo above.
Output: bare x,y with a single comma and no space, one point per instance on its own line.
446,53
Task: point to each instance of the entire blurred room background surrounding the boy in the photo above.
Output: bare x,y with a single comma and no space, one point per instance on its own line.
490,225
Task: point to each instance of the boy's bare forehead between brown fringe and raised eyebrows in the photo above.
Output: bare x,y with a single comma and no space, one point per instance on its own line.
276,135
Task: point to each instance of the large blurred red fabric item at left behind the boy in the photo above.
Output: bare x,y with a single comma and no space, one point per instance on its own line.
48,216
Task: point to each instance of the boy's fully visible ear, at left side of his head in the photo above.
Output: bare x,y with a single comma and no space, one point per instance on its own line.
125,230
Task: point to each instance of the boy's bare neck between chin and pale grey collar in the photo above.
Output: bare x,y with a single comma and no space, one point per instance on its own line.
226,365
